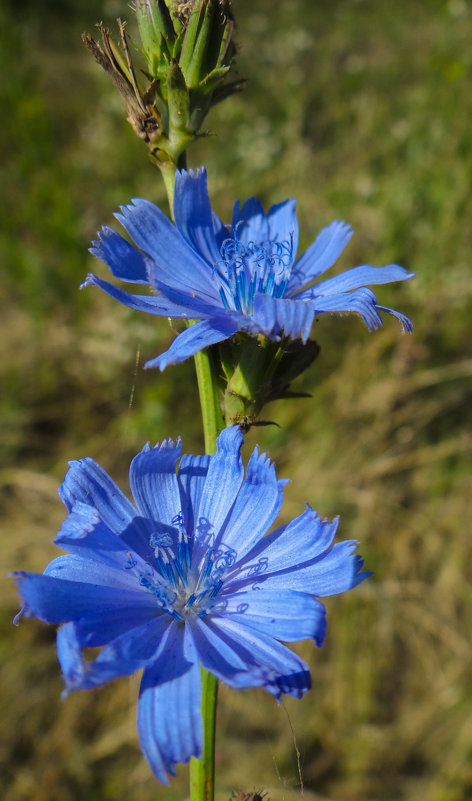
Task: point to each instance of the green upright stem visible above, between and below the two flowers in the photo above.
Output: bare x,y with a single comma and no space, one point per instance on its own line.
202,771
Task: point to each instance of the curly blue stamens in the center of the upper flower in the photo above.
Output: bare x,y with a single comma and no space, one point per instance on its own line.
255,267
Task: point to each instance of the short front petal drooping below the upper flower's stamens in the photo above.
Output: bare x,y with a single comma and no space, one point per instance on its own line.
293,317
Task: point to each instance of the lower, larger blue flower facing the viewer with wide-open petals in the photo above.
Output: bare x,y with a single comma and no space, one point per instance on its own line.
186,576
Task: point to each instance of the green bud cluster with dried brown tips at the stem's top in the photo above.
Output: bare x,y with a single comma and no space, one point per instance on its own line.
187,49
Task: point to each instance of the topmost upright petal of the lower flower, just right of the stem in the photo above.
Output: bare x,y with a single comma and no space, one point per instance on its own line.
222,483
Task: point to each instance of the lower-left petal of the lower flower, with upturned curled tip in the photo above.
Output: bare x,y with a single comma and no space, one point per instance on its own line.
124,655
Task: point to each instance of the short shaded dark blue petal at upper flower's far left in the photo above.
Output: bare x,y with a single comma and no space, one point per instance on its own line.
125,262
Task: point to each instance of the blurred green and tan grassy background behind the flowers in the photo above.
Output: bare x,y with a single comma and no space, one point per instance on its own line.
362,109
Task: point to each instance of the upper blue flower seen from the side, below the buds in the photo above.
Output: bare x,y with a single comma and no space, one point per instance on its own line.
243,277
